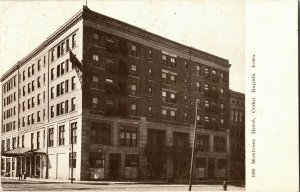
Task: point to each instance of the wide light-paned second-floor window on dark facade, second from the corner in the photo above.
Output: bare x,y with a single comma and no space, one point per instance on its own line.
128,136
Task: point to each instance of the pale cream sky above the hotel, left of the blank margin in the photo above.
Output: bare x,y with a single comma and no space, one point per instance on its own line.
216,27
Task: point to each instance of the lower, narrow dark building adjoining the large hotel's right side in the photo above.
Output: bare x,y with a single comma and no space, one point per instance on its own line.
237,135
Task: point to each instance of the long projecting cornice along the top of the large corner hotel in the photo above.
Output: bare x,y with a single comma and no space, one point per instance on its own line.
79,15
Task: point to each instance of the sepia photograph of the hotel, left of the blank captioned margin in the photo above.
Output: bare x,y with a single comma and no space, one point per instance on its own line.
123,95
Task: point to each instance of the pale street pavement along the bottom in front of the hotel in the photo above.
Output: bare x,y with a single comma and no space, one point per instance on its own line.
36,185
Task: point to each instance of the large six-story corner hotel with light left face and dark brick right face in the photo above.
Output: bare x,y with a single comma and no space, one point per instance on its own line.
129,101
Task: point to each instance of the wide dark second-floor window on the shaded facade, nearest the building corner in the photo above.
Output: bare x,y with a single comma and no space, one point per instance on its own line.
100,133
